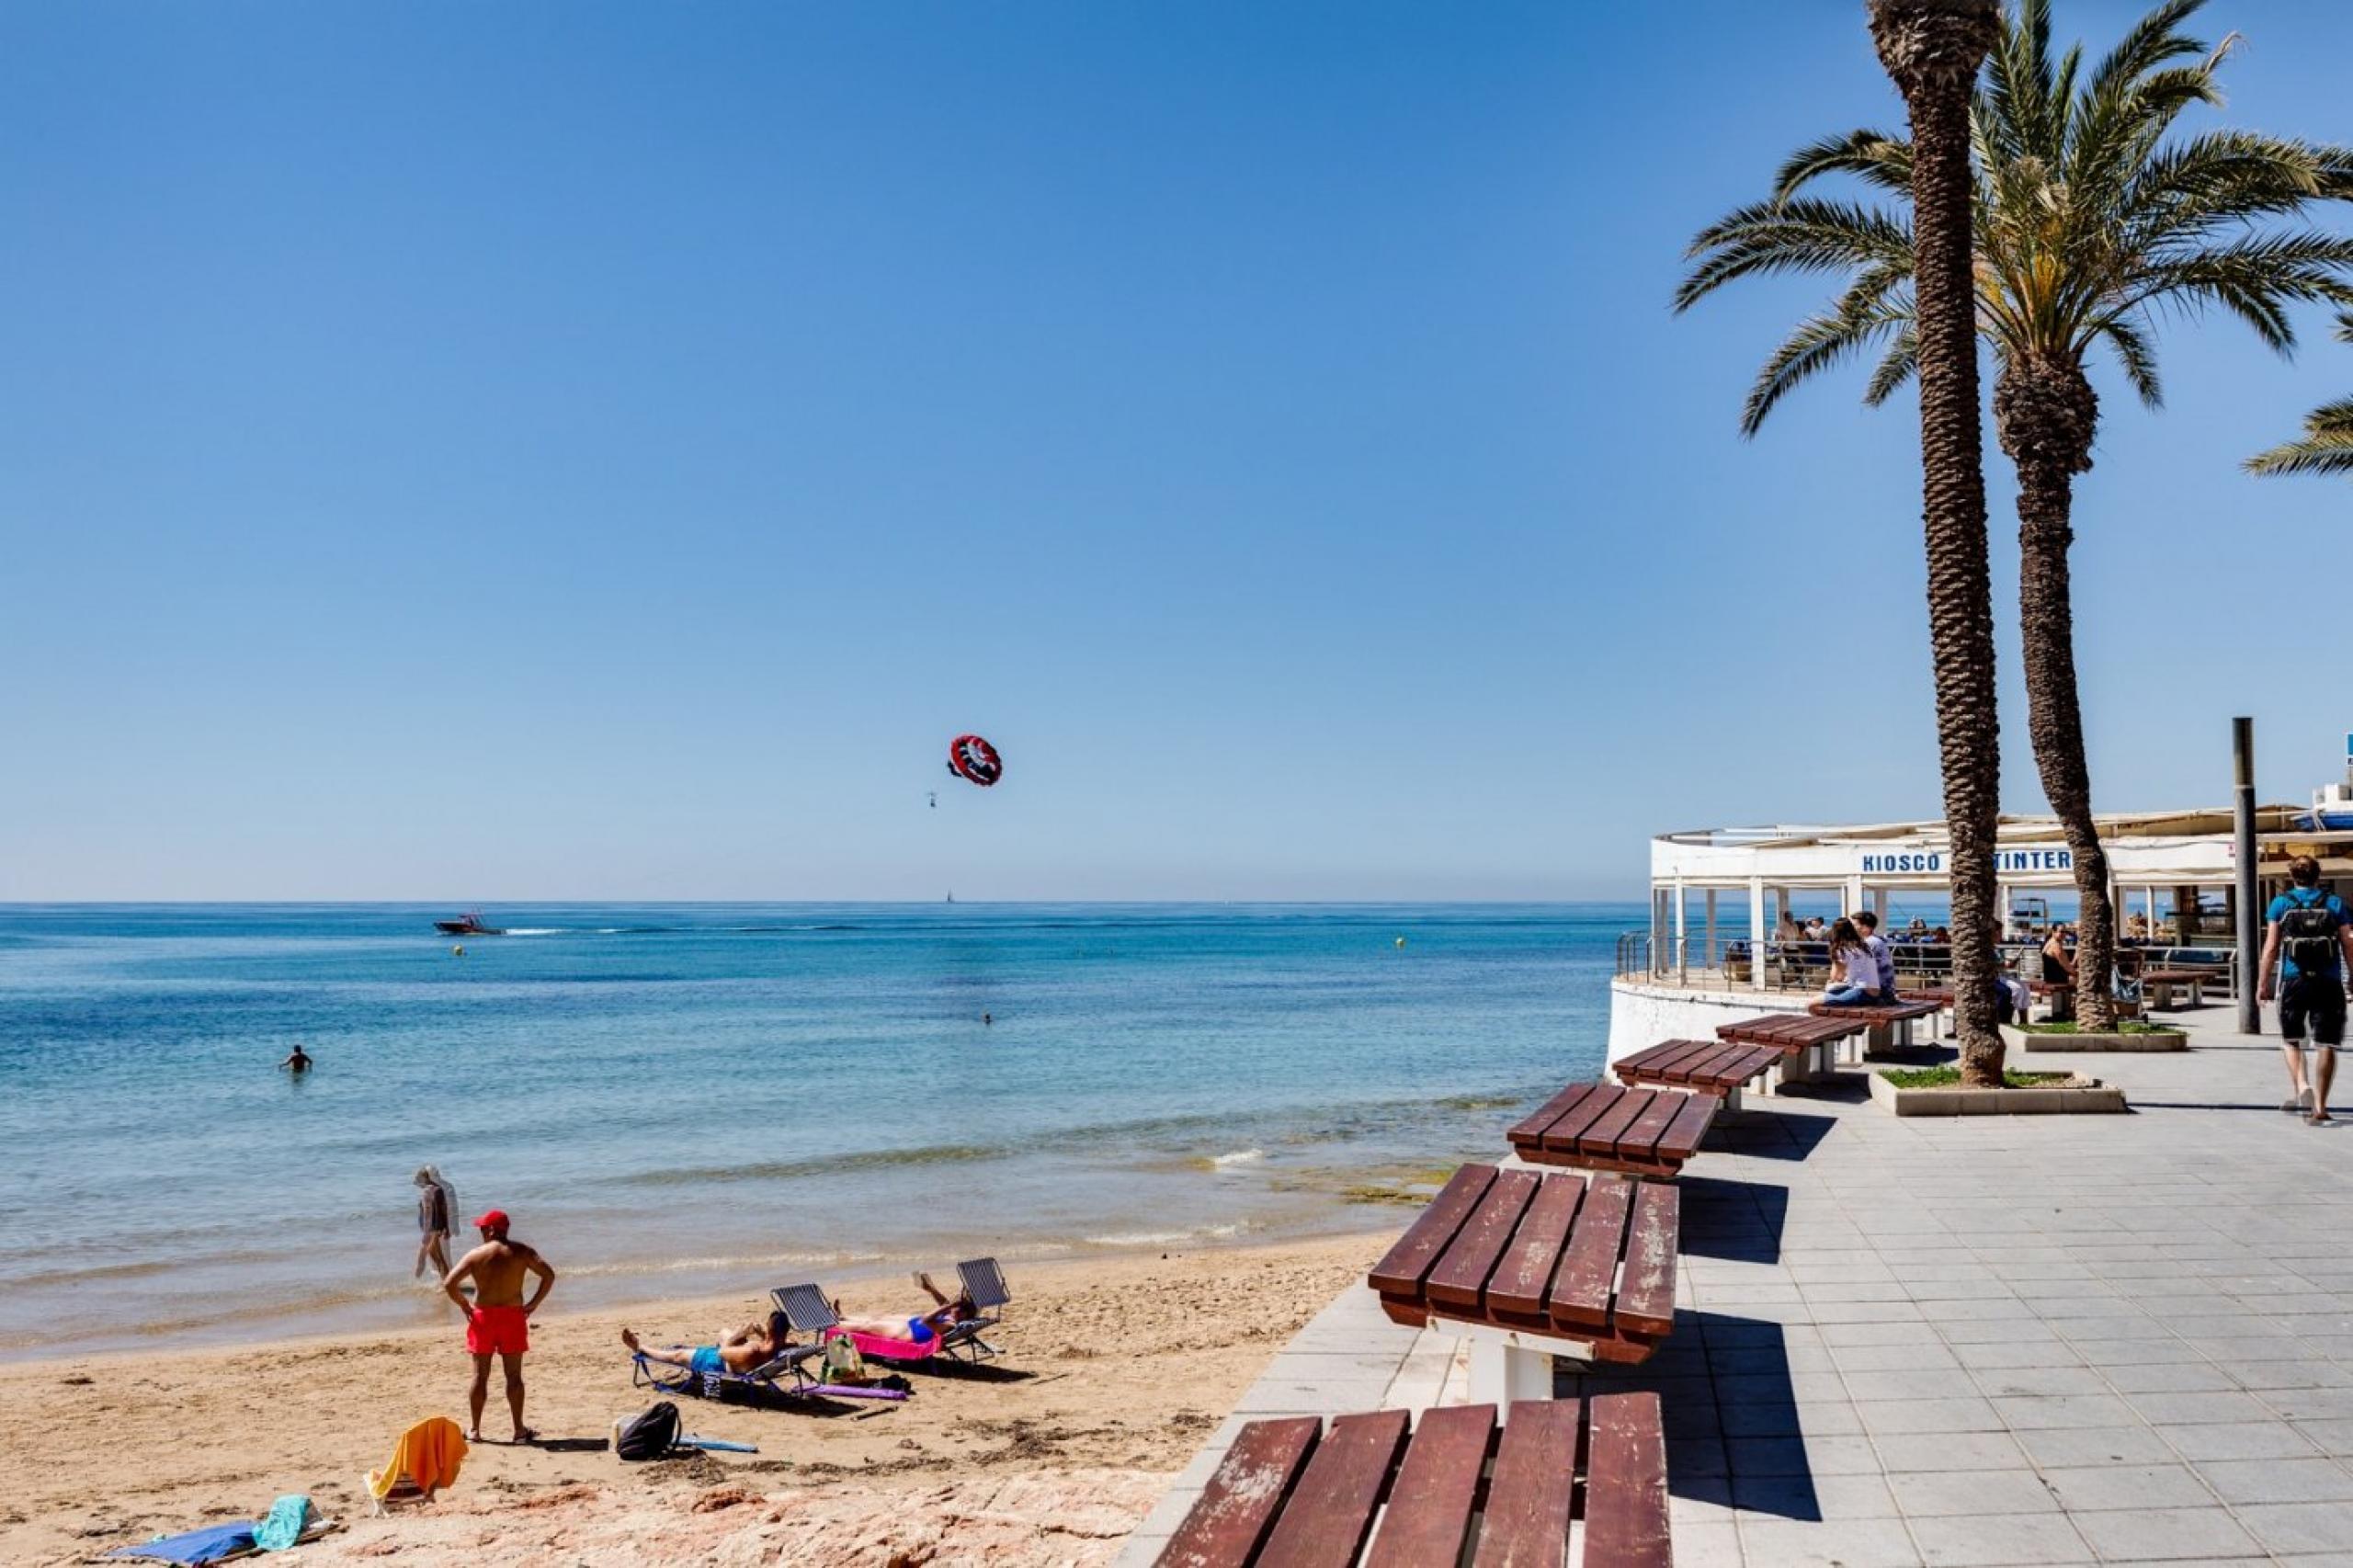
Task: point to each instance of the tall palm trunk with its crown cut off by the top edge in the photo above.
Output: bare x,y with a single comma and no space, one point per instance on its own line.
1933,51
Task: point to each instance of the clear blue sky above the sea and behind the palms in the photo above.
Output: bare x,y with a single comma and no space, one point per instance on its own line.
582,451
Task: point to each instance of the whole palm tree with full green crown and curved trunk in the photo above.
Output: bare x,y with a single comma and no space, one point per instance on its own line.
2091,218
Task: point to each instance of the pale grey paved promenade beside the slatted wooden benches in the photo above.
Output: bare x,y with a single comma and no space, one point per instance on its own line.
1978,1341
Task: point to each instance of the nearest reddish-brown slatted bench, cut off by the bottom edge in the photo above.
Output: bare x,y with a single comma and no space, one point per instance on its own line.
1458,1491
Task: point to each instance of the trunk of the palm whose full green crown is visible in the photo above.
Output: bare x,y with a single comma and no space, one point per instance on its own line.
2046,416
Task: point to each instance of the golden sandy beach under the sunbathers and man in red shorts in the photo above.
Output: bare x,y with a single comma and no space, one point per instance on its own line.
1114,1374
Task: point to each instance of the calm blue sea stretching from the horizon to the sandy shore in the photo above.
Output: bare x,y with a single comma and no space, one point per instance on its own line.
724,1096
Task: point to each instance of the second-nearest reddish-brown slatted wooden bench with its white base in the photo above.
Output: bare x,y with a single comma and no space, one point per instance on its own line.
1528,1268
